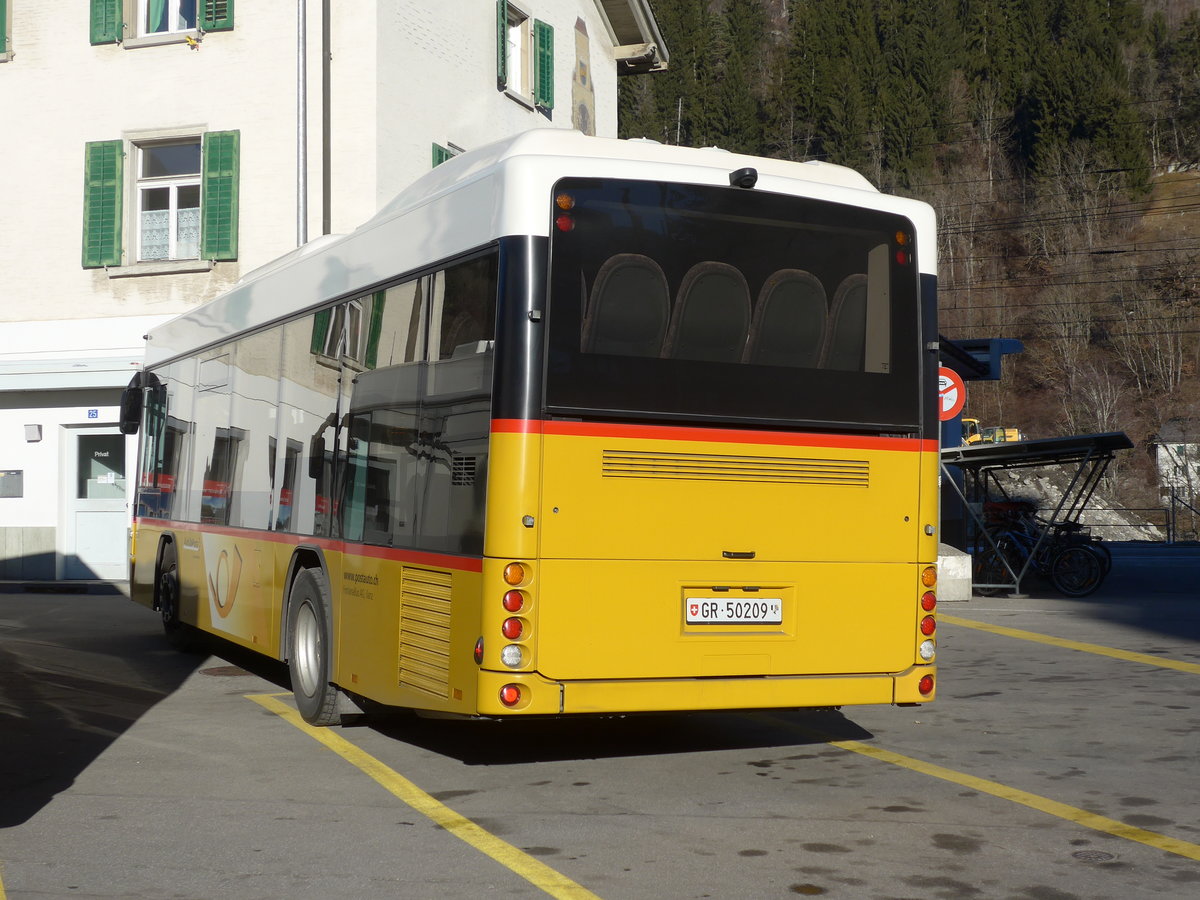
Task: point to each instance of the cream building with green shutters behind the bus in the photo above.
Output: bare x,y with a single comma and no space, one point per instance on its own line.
171,147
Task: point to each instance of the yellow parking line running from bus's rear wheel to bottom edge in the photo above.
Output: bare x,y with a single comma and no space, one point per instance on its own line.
529,868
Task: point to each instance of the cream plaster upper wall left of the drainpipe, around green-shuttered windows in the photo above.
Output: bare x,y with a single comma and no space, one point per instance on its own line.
70,93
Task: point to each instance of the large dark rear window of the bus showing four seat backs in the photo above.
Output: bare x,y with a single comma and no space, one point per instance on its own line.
727,304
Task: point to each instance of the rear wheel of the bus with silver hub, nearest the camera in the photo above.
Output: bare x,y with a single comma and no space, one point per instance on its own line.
309,649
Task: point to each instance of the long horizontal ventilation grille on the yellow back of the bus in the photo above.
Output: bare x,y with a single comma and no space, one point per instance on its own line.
711,467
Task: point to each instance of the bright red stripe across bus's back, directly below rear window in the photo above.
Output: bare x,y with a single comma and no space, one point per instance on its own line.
728,436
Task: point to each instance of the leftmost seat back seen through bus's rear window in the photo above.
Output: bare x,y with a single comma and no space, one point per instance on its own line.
629,308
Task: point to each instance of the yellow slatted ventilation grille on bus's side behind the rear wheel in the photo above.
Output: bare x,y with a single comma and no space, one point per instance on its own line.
425,632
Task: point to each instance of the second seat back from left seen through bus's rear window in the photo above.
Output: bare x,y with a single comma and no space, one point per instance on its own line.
712,315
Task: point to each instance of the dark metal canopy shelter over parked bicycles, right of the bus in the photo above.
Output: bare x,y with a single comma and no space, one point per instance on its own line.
1089,454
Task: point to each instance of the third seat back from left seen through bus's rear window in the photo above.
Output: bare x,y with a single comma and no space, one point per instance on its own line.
789,321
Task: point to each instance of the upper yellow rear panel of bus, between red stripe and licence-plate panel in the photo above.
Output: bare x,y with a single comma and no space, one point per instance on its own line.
635,499
